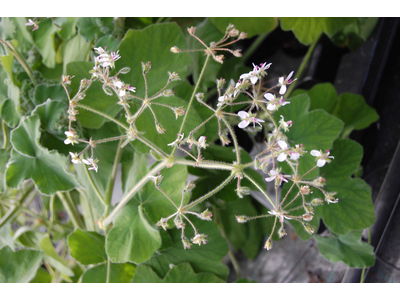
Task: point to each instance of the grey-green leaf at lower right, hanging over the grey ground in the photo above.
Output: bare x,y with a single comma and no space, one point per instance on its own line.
347,248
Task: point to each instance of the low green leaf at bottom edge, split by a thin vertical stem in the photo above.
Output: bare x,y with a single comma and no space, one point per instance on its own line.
119,273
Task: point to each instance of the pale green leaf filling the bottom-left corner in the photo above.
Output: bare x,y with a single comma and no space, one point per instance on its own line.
19,266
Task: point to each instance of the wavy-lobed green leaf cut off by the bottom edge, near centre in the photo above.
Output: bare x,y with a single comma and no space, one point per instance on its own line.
182,273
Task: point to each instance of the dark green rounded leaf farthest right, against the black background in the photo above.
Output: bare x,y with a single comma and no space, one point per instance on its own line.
354,112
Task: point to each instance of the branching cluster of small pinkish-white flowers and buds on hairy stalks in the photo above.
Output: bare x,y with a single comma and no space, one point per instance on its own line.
260,105
